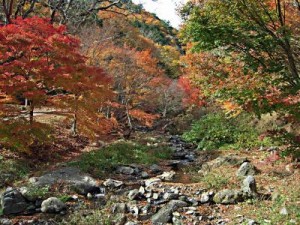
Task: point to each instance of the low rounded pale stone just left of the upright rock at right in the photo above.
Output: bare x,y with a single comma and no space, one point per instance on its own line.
227,196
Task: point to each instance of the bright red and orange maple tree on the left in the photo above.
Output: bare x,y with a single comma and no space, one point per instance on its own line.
41,63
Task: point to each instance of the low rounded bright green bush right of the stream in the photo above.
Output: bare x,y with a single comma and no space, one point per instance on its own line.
216,131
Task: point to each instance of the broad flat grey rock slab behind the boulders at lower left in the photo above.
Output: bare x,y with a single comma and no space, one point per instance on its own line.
73,177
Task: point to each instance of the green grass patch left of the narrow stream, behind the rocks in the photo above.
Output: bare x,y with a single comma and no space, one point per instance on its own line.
120,153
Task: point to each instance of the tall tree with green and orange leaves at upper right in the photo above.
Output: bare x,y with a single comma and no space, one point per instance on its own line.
256,40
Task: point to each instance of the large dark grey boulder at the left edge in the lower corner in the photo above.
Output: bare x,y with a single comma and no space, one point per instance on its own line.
13,202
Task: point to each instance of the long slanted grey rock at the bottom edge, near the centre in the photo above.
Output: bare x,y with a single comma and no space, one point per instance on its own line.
164,215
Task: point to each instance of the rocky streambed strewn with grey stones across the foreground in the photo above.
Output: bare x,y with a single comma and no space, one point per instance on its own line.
134,194
